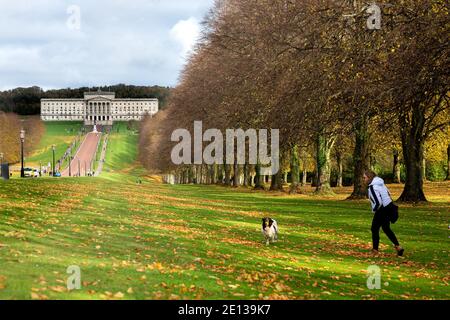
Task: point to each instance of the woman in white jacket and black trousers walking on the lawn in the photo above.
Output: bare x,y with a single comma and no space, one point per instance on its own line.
381,201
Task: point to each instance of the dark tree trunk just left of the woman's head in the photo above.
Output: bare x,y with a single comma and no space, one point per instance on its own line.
361,159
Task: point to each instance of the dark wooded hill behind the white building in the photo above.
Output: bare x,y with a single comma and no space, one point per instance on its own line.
26,101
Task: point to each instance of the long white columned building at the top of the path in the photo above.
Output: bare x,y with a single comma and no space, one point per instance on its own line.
97,108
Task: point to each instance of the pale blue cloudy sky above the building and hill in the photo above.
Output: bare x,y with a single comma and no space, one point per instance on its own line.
60,44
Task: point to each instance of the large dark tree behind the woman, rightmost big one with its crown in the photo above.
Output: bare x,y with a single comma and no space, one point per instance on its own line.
418,91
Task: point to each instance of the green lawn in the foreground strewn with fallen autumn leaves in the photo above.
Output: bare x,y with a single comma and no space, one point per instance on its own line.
154,241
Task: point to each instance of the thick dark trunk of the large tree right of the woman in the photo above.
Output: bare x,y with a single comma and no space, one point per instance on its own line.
413,148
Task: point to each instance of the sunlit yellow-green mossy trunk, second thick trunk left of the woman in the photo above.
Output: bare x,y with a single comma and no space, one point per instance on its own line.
324,146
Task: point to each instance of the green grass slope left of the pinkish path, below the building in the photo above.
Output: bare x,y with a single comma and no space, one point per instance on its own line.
62,134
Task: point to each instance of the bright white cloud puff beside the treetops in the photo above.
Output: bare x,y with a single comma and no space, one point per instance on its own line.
186,33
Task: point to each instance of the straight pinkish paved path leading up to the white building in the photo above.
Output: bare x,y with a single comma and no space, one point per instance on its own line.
85,155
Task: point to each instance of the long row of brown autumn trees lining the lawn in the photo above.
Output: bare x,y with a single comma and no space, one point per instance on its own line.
314,70
